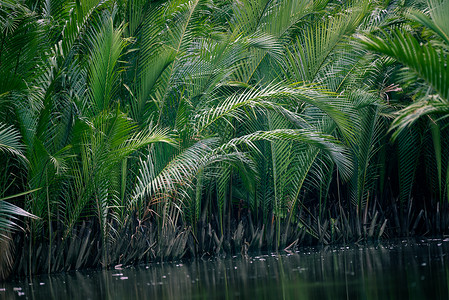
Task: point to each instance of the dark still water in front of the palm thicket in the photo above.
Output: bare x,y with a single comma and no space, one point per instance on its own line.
399,270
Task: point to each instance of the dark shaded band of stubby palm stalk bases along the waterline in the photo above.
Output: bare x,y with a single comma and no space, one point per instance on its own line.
144,242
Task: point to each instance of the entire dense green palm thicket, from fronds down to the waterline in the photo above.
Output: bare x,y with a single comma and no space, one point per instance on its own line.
142,130
